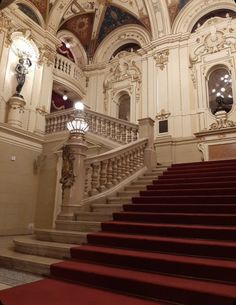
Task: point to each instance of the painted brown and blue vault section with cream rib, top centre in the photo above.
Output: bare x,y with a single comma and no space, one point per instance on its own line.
92,21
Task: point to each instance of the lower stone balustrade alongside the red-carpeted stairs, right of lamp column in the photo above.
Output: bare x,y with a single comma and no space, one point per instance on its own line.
109,169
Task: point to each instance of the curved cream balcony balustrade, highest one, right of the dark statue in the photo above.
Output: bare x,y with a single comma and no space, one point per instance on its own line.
67,68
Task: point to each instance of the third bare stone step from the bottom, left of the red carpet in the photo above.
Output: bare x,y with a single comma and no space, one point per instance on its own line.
61,236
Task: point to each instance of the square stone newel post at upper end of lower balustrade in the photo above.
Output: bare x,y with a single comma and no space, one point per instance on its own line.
146,130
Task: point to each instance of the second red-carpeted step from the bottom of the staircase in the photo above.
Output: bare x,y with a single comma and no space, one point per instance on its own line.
216,270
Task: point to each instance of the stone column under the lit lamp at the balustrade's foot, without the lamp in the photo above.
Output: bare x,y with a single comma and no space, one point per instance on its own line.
73,177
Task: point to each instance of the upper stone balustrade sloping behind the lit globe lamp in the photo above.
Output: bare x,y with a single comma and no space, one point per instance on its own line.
114,129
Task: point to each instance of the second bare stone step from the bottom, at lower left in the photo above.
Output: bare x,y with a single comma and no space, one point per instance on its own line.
32,246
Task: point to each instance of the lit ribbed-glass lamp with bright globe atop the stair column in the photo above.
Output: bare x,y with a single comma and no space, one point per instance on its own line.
78,124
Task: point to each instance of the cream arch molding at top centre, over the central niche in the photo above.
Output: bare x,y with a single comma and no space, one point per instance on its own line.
125,34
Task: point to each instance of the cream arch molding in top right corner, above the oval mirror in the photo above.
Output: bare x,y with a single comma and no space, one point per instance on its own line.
194,10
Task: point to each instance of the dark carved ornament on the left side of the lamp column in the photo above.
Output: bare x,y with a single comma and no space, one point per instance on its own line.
67,173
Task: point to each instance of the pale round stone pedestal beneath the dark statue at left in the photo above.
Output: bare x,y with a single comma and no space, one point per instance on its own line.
16,109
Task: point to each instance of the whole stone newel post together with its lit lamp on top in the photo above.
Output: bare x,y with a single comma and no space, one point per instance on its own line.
73,166
